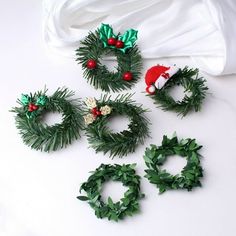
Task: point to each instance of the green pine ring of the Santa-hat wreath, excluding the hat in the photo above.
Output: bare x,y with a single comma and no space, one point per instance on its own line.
188,78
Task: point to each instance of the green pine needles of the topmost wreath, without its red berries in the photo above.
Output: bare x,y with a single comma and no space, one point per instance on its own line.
93,47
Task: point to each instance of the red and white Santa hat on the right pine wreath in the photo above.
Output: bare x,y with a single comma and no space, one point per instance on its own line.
157,76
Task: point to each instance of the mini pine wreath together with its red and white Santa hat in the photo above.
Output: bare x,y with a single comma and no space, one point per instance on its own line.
160,79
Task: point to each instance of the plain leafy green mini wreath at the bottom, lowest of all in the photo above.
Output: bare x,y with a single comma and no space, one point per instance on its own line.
127,206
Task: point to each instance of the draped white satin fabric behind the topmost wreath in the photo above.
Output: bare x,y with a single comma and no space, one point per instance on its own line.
202,29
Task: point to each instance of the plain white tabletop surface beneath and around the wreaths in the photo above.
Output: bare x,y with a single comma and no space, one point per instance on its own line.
38,190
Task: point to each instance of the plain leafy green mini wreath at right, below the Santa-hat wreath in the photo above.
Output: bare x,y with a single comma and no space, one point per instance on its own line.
155,157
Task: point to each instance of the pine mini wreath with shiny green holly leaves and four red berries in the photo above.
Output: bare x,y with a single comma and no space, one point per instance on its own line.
105,43
